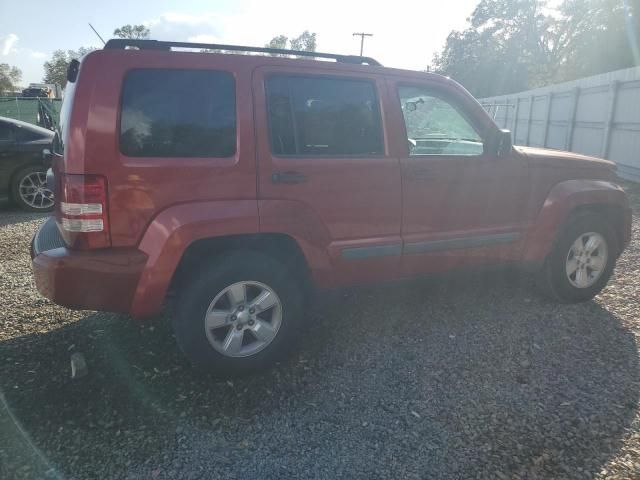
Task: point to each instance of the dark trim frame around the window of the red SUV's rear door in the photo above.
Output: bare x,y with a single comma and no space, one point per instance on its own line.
376,94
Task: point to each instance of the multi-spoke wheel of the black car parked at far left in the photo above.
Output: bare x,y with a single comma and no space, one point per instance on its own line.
29,189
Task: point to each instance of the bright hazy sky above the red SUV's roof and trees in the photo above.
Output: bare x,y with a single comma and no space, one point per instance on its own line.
406,32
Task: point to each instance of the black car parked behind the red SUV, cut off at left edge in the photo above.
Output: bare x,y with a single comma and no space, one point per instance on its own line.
22,173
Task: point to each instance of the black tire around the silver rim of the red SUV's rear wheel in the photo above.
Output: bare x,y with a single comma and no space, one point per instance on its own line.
196,296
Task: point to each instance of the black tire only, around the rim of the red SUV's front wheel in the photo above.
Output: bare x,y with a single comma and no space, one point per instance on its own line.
561,286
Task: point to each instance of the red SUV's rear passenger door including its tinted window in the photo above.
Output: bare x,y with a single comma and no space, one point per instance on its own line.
325,173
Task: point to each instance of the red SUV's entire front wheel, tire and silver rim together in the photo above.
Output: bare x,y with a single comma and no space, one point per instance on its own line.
554,279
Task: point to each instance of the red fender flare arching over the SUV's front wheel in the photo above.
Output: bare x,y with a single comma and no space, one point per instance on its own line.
564,198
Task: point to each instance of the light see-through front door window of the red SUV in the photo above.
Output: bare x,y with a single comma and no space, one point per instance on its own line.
434,126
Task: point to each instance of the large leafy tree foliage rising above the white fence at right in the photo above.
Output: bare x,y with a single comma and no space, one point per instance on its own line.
513,45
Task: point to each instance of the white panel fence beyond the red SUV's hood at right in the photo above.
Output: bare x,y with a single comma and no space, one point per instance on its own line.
597,116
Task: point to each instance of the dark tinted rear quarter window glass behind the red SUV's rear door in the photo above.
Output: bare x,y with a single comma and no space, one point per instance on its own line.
178,113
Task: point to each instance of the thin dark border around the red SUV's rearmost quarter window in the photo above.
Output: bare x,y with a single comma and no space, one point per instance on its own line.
179,69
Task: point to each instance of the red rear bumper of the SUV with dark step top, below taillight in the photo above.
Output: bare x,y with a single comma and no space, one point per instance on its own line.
93,280
